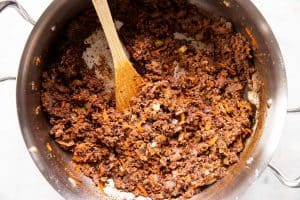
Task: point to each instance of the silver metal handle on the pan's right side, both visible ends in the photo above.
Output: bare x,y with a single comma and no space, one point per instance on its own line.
292,183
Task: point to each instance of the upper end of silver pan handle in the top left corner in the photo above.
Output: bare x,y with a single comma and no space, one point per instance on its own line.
13,3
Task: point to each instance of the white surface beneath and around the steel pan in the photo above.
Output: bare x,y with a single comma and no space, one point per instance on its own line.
21,180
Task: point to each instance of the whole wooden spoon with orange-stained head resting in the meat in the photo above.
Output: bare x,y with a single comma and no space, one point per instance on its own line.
127,80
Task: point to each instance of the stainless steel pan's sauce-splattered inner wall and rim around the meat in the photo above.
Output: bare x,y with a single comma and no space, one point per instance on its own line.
54,163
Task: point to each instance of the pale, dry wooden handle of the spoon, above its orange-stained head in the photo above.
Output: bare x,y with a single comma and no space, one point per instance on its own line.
110,32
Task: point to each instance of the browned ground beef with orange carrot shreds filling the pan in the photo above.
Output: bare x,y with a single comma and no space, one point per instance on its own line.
183,132
